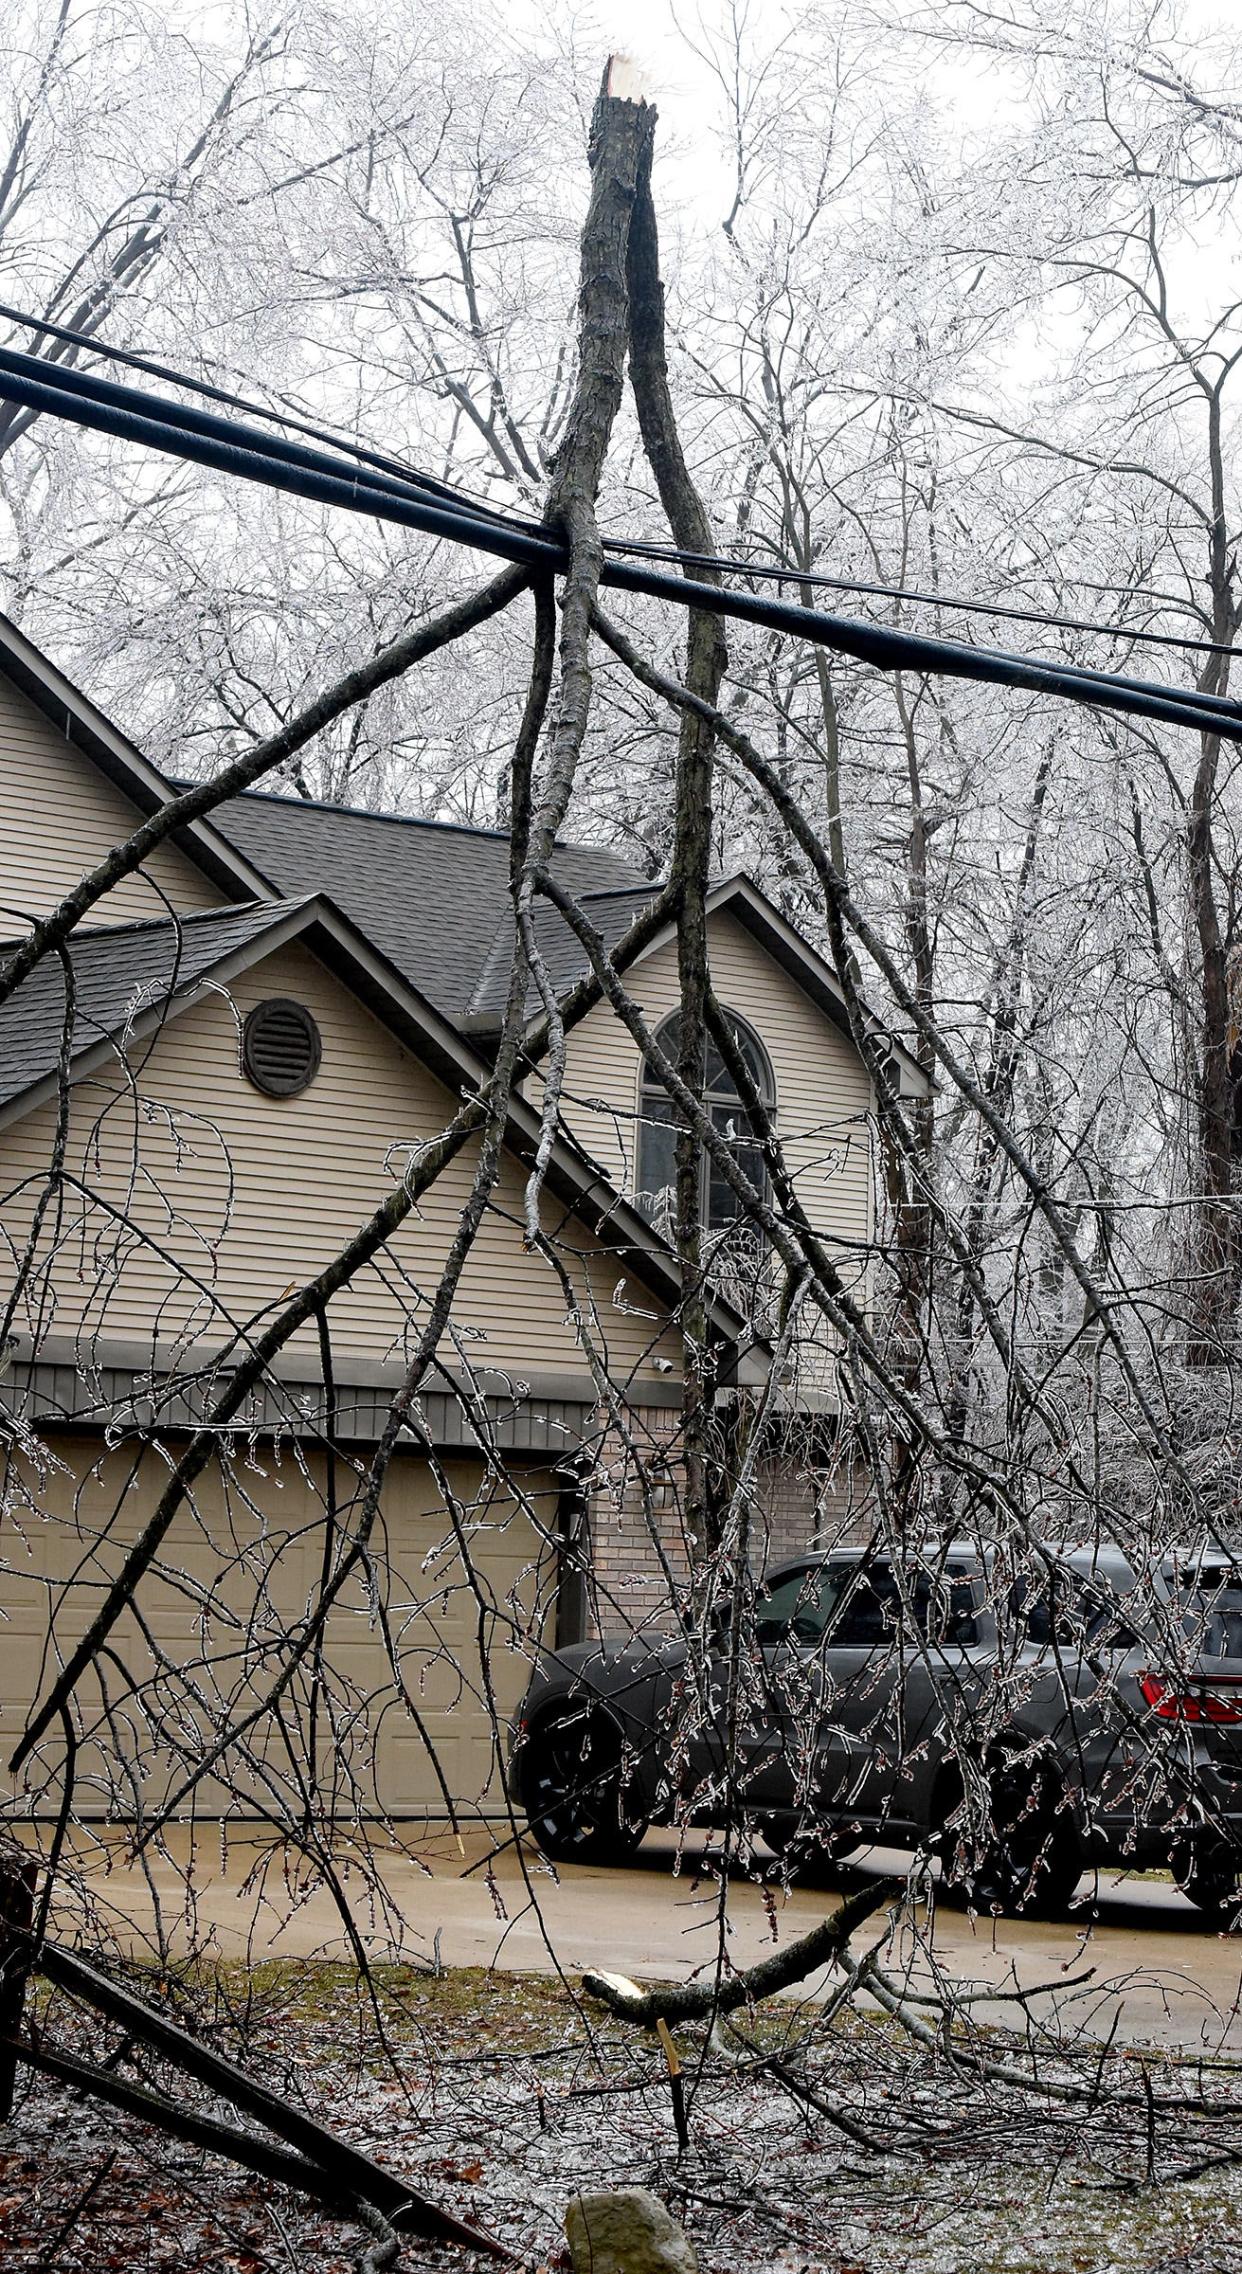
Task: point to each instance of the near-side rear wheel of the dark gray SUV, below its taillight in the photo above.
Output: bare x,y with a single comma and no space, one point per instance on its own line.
1032,1857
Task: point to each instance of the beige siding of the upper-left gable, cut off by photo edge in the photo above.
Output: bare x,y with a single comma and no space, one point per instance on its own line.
60,820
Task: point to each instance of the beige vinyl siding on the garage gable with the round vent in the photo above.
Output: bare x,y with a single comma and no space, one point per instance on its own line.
254,1195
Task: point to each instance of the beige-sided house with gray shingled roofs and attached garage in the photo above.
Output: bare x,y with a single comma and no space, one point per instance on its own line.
245,1049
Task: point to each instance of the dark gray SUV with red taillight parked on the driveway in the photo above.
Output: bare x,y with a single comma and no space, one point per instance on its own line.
1025,1725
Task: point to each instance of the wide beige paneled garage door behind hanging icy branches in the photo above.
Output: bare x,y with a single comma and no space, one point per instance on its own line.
397,1713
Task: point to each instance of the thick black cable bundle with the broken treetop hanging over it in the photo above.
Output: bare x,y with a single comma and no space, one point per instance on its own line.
245,451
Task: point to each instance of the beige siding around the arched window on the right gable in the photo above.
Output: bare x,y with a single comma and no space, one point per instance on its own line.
822,1086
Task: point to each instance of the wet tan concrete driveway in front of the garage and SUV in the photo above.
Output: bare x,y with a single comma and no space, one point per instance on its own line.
1159,1973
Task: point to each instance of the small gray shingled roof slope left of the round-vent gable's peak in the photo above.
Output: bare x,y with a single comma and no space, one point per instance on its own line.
119,970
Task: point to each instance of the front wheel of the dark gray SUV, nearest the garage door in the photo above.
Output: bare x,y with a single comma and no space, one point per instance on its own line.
572,1789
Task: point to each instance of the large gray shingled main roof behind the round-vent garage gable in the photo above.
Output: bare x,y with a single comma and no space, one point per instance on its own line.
431,895
